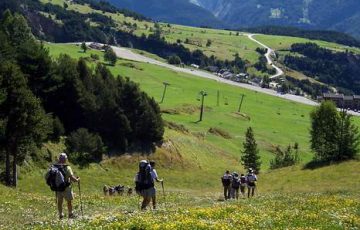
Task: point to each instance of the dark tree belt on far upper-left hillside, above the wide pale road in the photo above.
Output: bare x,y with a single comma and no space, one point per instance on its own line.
75,28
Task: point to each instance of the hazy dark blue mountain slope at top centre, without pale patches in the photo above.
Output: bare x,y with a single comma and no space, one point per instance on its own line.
173,11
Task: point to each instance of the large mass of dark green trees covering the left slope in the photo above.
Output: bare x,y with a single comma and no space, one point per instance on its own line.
42,99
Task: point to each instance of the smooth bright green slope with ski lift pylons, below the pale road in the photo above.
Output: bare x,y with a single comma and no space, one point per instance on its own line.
289,120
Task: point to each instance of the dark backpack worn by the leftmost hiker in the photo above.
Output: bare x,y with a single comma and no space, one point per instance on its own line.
55,178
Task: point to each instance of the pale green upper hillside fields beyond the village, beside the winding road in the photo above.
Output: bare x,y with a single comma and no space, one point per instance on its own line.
224,44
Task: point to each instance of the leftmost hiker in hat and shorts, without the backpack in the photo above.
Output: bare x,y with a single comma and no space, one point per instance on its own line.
67,194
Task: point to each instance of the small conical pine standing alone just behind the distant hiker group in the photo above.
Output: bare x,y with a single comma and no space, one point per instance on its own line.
250,157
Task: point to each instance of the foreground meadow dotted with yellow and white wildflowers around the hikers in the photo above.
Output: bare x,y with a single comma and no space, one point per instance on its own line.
325,202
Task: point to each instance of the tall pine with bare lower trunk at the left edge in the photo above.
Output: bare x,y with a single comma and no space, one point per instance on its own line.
27,125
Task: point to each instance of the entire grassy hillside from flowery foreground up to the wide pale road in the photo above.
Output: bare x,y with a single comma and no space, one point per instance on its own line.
192,161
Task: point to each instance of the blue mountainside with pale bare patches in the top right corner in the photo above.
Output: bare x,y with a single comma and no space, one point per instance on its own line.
316,14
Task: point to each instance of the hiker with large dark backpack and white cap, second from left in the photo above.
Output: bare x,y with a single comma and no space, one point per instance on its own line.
144,183
